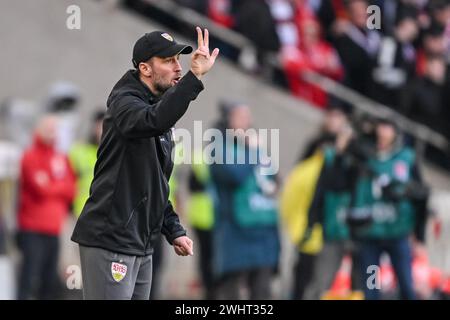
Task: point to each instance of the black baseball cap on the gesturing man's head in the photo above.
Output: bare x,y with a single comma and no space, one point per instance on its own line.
157,44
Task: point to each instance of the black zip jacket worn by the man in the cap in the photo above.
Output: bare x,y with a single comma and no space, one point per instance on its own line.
128,205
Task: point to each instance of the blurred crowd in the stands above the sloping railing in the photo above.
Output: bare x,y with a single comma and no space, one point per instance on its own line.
399,58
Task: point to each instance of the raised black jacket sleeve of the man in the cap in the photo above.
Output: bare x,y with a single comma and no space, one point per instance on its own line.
134,118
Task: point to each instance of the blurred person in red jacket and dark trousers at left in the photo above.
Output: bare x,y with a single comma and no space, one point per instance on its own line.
47,188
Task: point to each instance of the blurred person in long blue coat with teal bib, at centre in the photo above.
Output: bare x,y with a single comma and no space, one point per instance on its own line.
246,242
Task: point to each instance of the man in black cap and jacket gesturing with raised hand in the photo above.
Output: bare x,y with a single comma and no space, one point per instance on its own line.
128,205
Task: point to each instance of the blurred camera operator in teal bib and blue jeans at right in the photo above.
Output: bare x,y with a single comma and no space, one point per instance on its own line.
388,204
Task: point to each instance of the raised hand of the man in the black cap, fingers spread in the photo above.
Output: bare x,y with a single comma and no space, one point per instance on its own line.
202,60
